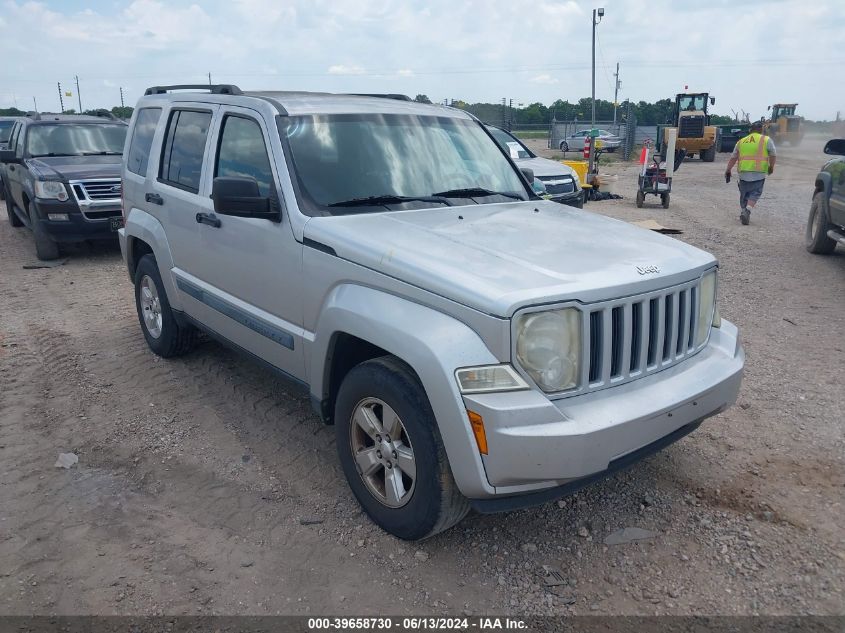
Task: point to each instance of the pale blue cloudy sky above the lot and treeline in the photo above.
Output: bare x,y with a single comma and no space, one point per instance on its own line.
747,54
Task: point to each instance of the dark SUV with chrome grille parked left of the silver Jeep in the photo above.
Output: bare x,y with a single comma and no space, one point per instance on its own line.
62,178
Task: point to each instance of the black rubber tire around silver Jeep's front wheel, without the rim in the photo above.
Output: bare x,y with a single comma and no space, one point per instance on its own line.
435,503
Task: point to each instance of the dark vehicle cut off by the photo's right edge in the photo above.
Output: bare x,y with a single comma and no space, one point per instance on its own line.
826,224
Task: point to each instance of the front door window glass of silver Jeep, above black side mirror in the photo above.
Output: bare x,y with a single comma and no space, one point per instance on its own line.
242,153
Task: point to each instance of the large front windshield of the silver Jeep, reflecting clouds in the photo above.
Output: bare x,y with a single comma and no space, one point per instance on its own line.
365,163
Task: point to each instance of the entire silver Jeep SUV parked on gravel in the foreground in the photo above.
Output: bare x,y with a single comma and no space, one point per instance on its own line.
473,345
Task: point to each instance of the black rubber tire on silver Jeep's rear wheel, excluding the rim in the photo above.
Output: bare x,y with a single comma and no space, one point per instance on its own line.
174,339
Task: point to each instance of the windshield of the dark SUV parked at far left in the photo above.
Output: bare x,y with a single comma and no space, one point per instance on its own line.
75,139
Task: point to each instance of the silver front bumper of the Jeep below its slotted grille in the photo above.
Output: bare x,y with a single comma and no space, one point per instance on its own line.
537,444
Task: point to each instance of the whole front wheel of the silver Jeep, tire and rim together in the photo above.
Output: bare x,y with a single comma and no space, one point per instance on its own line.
391,452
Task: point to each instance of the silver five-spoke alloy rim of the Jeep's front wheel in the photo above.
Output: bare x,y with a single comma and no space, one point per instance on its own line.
383,453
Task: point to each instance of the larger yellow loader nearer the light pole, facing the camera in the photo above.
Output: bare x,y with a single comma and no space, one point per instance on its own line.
690,118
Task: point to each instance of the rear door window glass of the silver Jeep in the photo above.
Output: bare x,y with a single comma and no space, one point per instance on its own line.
184,146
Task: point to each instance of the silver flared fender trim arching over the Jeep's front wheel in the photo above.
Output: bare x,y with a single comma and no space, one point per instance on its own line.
432,343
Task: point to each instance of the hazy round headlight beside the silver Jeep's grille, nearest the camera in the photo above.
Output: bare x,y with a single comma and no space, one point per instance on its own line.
548,347
